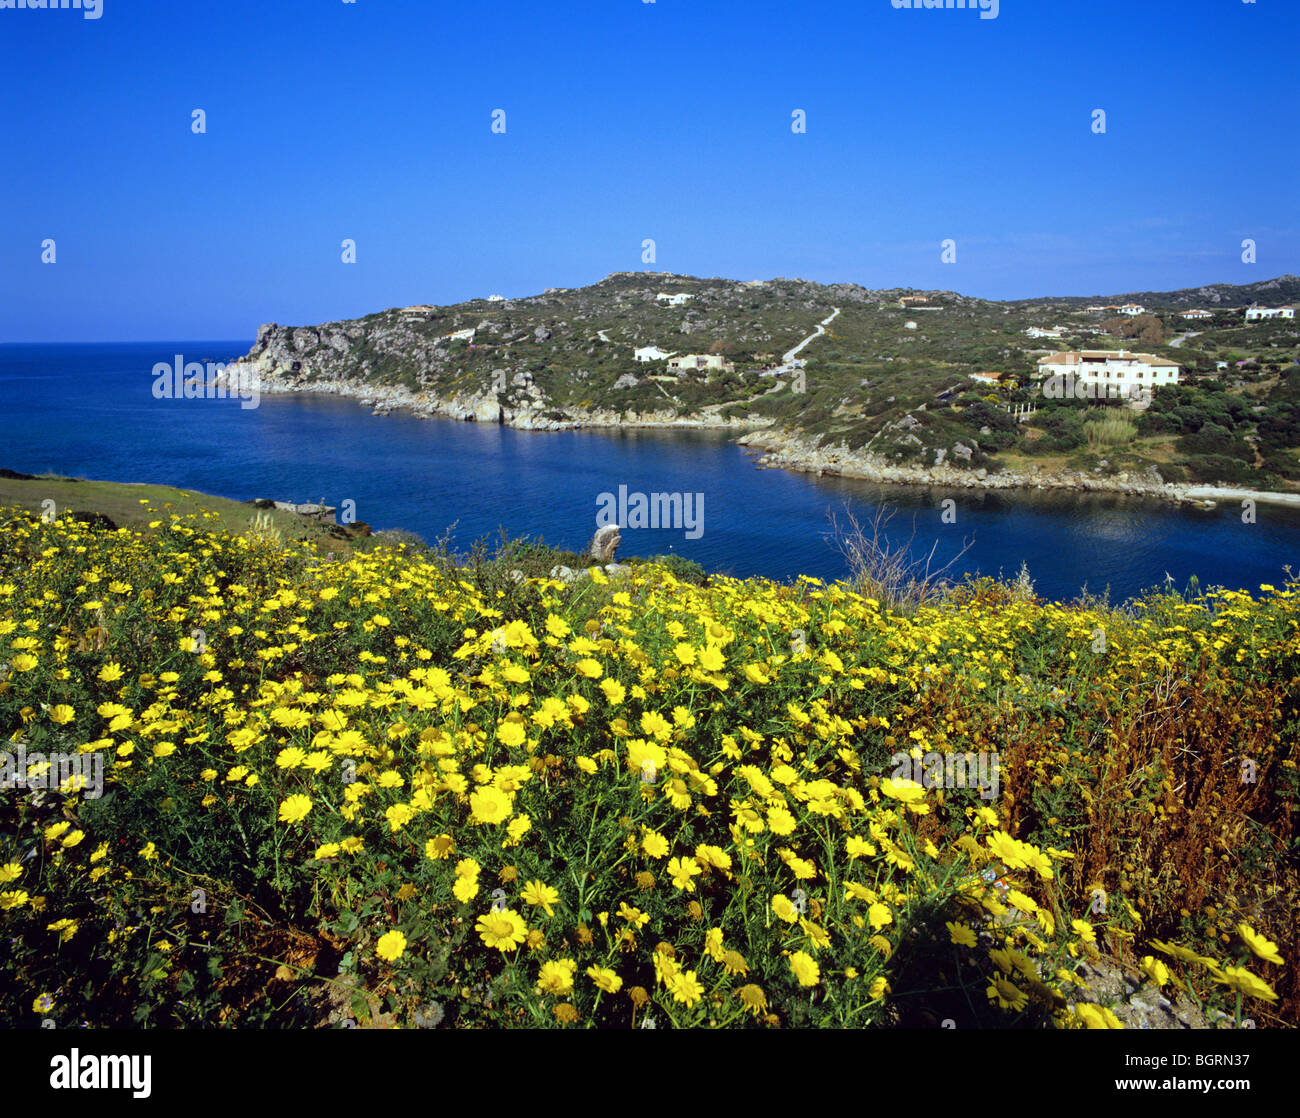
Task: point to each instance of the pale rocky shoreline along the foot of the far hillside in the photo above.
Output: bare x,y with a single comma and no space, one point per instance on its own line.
777,449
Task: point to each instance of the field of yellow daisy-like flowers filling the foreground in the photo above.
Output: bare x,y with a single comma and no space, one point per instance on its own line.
385,790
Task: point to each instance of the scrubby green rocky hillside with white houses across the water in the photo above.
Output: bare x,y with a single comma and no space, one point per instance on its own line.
887,383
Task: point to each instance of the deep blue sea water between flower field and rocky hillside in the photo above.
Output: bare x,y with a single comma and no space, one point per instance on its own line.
89,411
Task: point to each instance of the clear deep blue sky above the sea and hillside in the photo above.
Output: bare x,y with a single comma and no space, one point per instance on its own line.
625,122
